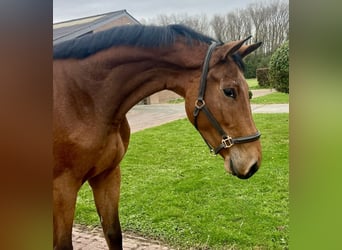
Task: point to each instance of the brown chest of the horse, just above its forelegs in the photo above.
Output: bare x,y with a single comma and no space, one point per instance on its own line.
89,149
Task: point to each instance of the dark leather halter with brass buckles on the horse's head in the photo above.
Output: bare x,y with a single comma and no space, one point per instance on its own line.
227,141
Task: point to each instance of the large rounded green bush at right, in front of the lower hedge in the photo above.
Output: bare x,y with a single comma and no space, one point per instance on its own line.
279,68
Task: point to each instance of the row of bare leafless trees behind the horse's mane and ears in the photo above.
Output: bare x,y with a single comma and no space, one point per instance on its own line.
265,21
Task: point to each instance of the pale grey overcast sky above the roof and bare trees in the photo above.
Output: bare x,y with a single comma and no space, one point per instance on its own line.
71,9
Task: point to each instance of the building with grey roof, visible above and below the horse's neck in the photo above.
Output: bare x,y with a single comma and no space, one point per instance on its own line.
71,29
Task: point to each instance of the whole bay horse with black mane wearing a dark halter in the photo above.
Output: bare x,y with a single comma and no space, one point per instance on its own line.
99,77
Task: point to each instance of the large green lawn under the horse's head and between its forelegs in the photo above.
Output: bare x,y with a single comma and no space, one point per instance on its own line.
173,190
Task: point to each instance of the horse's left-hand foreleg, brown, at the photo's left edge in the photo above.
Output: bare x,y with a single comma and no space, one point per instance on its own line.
64,199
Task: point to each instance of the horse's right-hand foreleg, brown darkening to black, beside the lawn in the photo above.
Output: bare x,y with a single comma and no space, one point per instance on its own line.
106,190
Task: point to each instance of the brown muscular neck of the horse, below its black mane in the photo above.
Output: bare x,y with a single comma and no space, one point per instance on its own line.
124,76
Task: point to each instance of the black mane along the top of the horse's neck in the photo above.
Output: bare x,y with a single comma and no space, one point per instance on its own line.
132,35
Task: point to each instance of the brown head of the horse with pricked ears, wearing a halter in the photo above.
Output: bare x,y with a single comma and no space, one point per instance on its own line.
220,108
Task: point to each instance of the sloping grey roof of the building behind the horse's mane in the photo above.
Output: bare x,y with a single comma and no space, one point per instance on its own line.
71,29
